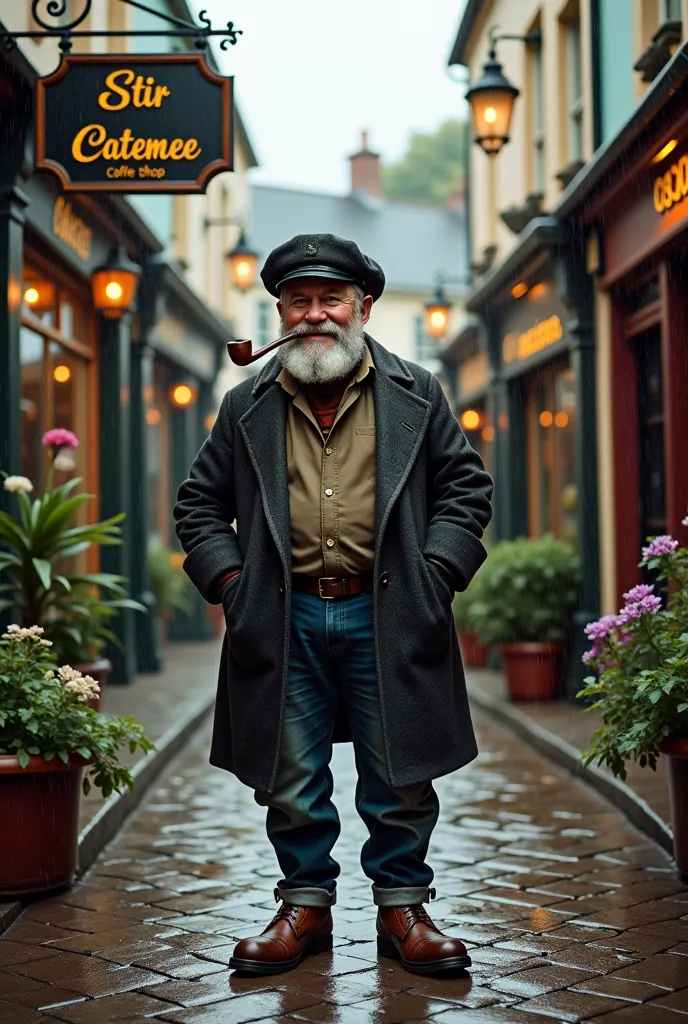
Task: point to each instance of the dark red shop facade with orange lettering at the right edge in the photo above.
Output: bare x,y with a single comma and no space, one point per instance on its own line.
631,209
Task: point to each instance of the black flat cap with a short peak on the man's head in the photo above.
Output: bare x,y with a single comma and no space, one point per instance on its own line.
322,257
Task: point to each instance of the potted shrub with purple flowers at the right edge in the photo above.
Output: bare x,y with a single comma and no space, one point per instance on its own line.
641,689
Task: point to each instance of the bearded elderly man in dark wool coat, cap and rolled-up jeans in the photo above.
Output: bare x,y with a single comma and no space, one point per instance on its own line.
359,507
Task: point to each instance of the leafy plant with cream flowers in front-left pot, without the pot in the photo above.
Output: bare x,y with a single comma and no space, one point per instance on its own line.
45,713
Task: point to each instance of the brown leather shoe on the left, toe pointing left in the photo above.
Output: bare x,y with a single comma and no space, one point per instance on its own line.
294,933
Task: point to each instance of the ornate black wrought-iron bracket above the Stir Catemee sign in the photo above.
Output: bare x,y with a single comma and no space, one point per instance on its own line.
55,25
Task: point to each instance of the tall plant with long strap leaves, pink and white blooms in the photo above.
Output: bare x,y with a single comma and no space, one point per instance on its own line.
36,567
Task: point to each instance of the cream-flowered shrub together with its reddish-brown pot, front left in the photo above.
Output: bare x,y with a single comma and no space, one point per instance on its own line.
53,745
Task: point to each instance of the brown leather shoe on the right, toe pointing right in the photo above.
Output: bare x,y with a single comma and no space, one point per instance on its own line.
407,933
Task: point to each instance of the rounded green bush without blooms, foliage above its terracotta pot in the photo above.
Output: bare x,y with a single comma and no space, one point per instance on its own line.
526,591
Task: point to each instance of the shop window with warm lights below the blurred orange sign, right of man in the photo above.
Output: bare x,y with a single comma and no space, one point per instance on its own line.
551,413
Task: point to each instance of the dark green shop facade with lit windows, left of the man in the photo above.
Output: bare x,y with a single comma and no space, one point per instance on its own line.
64,364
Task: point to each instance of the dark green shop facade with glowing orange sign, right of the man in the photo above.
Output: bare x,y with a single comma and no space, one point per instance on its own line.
536,313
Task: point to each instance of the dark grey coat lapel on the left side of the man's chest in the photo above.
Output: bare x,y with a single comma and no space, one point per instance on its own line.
264,431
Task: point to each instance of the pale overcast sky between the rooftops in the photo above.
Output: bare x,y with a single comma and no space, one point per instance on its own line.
310,75
